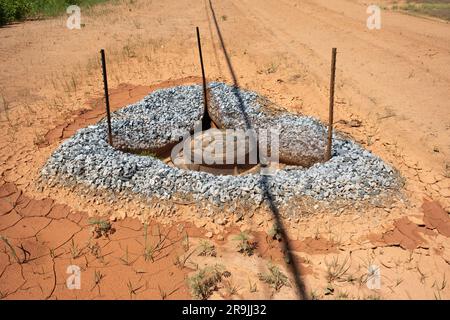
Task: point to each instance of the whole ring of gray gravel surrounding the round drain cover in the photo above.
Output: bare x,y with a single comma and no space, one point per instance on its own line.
353,174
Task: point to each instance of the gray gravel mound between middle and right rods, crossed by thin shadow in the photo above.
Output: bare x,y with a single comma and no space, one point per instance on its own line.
302,139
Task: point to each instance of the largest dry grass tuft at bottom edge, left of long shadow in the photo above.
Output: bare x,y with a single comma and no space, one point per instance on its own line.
205,281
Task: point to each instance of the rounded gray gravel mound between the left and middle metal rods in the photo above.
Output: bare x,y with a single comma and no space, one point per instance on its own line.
161,119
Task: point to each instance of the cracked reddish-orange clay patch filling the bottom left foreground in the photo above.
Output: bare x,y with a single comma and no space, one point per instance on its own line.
41,239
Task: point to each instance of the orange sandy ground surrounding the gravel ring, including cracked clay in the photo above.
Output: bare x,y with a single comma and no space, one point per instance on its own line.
394,80
